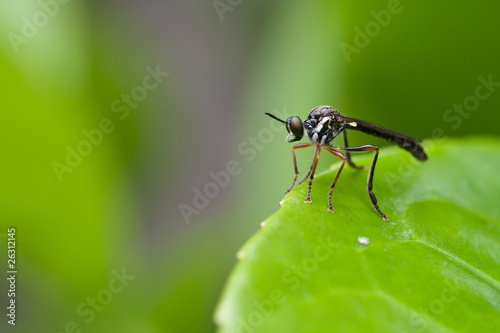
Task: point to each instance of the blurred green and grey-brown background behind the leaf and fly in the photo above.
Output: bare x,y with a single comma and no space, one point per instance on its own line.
74,70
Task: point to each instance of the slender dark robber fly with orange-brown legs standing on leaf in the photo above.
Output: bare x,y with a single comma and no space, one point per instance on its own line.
322,125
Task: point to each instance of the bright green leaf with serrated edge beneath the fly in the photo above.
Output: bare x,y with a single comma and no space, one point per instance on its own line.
433,267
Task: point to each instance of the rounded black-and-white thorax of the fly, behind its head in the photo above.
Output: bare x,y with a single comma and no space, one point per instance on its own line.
321,125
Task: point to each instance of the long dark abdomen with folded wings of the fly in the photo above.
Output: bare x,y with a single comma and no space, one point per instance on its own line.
404,141
